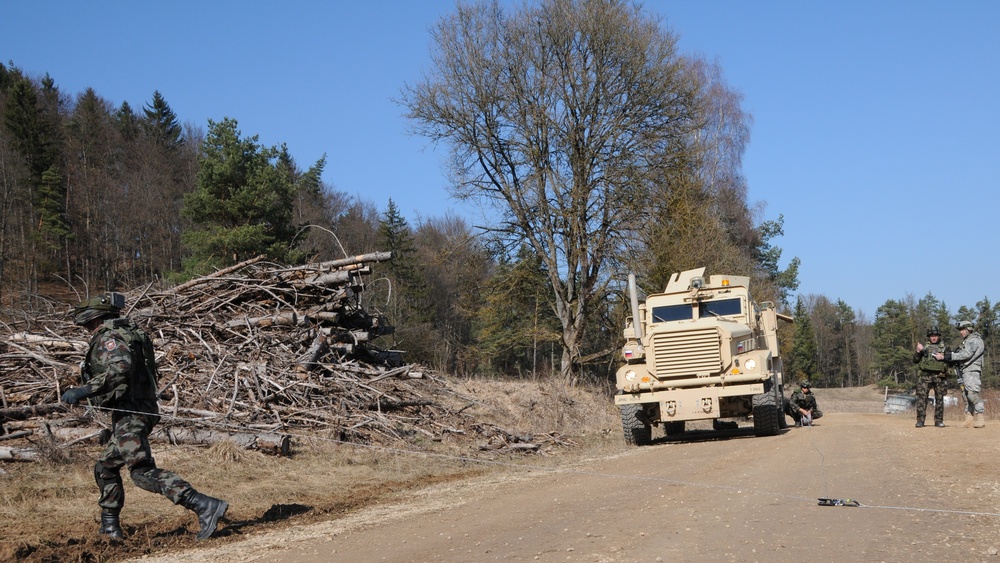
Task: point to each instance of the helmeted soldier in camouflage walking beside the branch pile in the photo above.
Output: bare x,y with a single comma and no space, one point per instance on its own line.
119,374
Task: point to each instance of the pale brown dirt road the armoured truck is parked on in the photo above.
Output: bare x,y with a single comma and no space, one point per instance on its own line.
929,494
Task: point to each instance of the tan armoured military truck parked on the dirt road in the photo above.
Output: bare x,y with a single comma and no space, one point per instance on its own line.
700,350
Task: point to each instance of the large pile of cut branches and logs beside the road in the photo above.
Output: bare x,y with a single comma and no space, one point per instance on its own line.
256,352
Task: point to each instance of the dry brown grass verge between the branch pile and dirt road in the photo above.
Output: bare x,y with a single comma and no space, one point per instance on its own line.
48,509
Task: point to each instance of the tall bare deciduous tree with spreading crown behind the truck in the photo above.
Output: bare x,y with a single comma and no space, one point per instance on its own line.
560,117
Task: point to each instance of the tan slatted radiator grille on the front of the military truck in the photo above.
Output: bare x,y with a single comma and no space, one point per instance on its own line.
688,353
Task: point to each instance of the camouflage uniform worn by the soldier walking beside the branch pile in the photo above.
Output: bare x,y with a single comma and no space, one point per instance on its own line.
122,378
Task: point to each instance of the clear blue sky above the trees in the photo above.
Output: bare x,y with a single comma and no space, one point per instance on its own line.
875,122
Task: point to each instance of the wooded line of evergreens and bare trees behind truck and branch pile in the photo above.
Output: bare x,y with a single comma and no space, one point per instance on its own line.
598,148
